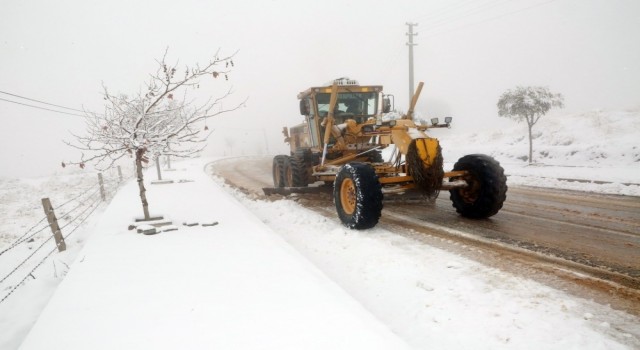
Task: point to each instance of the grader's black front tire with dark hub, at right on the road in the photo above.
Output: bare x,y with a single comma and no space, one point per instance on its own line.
486,188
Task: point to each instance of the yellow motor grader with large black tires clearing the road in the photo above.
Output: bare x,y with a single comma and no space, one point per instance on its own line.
347,126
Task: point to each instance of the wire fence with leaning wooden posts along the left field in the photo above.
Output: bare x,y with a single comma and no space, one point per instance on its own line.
74,212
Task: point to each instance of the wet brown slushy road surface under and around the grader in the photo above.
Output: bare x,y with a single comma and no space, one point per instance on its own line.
587,244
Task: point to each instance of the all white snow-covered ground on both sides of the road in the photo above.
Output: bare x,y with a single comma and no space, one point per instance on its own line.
233,284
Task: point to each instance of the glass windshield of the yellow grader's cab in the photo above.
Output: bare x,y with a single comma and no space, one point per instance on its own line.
355,103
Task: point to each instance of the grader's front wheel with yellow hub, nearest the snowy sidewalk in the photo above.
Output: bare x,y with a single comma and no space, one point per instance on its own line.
358,196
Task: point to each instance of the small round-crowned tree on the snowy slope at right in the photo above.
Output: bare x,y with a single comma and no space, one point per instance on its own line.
528,104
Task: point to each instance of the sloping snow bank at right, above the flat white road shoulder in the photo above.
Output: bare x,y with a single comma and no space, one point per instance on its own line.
594,138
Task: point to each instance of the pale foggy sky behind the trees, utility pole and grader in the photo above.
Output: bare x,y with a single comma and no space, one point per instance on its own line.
468,53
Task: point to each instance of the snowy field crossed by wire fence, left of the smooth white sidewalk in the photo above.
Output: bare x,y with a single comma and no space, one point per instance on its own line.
30,268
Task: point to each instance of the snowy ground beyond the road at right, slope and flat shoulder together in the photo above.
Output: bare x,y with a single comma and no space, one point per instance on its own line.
595,146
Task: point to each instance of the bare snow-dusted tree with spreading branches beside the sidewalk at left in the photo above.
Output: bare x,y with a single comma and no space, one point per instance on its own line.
155,121
